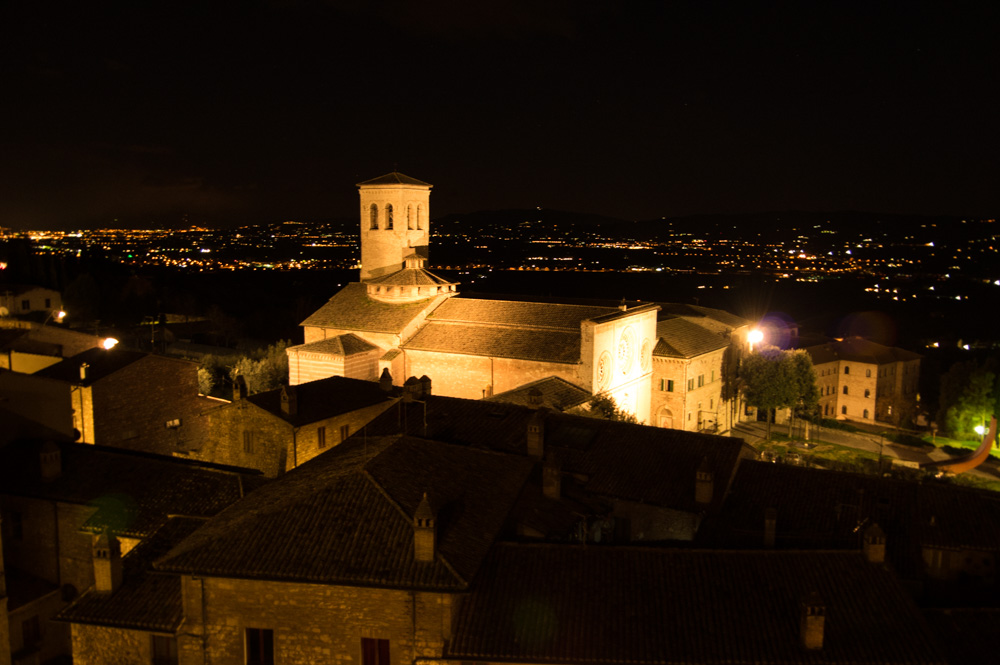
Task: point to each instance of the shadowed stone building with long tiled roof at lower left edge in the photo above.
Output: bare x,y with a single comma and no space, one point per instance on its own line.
54,501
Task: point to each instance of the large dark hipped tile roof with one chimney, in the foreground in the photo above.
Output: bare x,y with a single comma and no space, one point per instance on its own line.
346,517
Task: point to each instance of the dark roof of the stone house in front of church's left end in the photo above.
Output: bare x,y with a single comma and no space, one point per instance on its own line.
322,399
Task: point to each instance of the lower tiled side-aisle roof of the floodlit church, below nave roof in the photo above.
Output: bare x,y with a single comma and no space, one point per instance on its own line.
498,341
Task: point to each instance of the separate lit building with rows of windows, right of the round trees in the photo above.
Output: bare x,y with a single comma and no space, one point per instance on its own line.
865,381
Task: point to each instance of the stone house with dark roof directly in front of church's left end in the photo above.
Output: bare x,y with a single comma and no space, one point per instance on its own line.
277,430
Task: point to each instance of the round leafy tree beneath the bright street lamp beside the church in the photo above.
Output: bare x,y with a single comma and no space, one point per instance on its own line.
772,379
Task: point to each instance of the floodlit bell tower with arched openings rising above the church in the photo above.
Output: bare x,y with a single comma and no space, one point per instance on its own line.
395,222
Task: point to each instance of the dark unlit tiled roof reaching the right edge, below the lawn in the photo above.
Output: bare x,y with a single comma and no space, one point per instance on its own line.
823,509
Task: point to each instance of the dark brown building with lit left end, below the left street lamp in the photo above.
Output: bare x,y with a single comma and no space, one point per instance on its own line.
133,399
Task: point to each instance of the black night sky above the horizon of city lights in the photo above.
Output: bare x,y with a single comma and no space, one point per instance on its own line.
239,113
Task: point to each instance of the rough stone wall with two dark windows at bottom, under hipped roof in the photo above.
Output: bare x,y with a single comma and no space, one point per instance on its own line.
311,623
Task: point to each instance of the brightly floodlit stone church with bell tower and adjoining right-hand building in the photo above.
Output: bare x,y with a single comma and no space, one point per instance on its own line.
402,319
